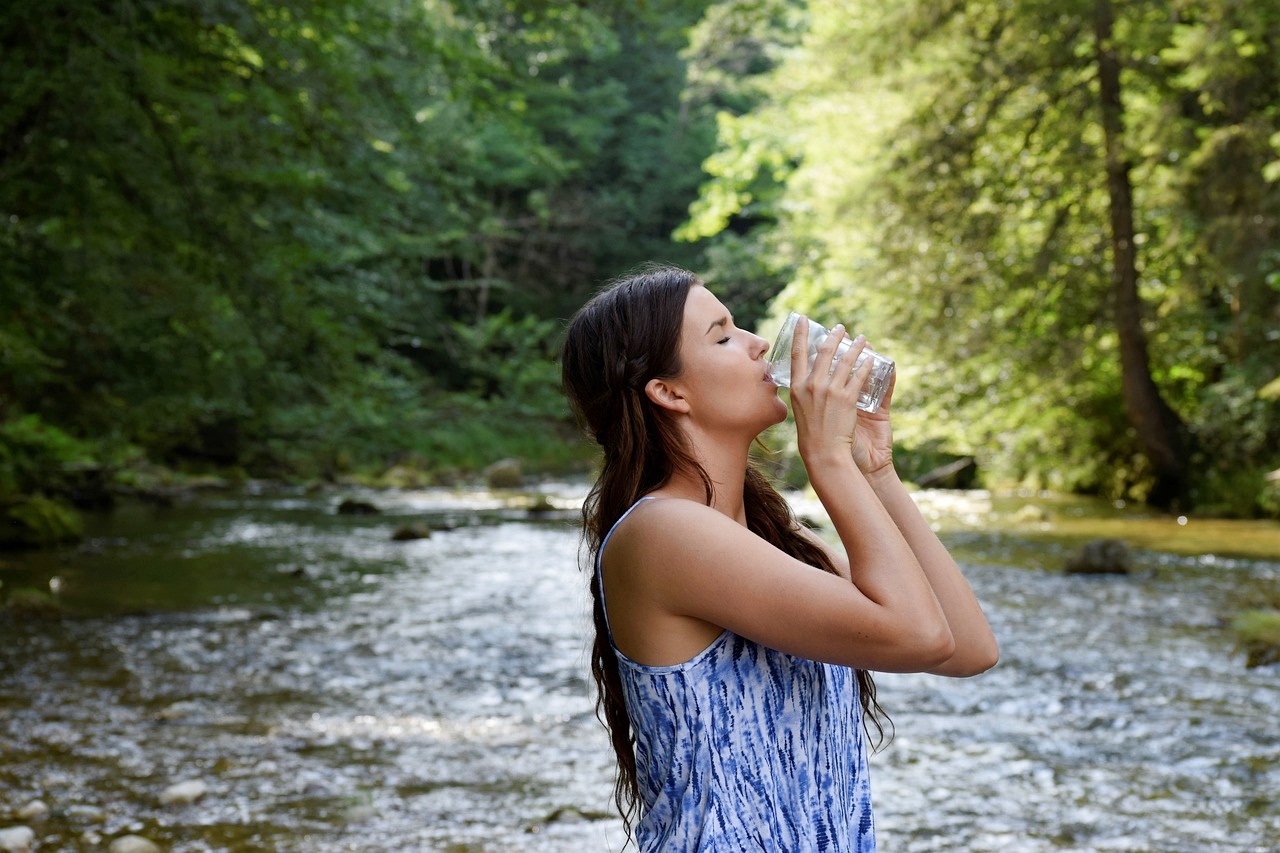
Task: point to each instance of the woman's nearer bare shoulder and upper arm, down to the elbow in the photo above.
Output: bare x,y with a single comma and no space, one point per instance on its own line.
678,573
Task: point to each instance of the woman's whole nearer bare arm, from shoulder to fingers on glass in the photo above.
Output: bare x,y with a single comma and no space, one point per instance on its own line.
678,569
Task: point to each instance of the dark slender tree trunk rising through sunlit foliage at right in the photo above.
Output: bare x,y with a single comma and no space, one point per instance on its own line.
1162,432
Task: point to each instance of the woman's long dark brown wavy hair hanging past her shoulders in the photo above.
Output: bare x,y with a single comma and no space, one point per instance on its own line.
624,337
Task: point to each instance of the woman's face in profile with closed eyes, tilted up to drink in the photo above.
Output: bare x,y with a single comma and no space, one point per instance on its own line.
724,373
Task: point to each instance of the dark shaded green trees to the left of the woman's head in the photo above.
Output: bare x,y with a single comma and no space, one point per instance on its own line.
299,238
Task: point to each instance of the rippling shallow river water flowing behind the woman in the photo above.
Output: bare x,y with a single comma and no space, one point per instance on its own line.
337,691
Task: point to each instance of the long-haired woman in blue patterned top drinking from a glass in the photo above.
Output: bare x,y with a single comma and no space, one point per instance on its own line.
733,676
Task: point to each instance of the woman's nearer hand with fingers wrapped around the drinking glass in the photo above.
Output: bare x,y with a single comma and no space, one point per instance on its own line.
824,396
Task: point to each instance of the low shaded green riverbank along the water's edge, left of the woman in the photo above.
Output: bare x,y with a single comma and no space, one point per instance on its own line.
49,480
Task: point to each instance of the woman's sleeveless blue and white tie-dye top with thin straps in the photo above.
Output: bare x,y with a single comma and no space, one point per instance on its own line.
747,749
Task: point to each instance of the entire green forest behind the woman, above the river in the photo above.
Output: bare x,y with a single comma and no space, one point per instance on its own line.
339,239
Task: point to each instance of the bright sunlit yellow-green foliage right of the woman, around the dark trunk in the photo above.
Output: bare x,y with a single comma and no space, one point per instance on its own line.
948,195
